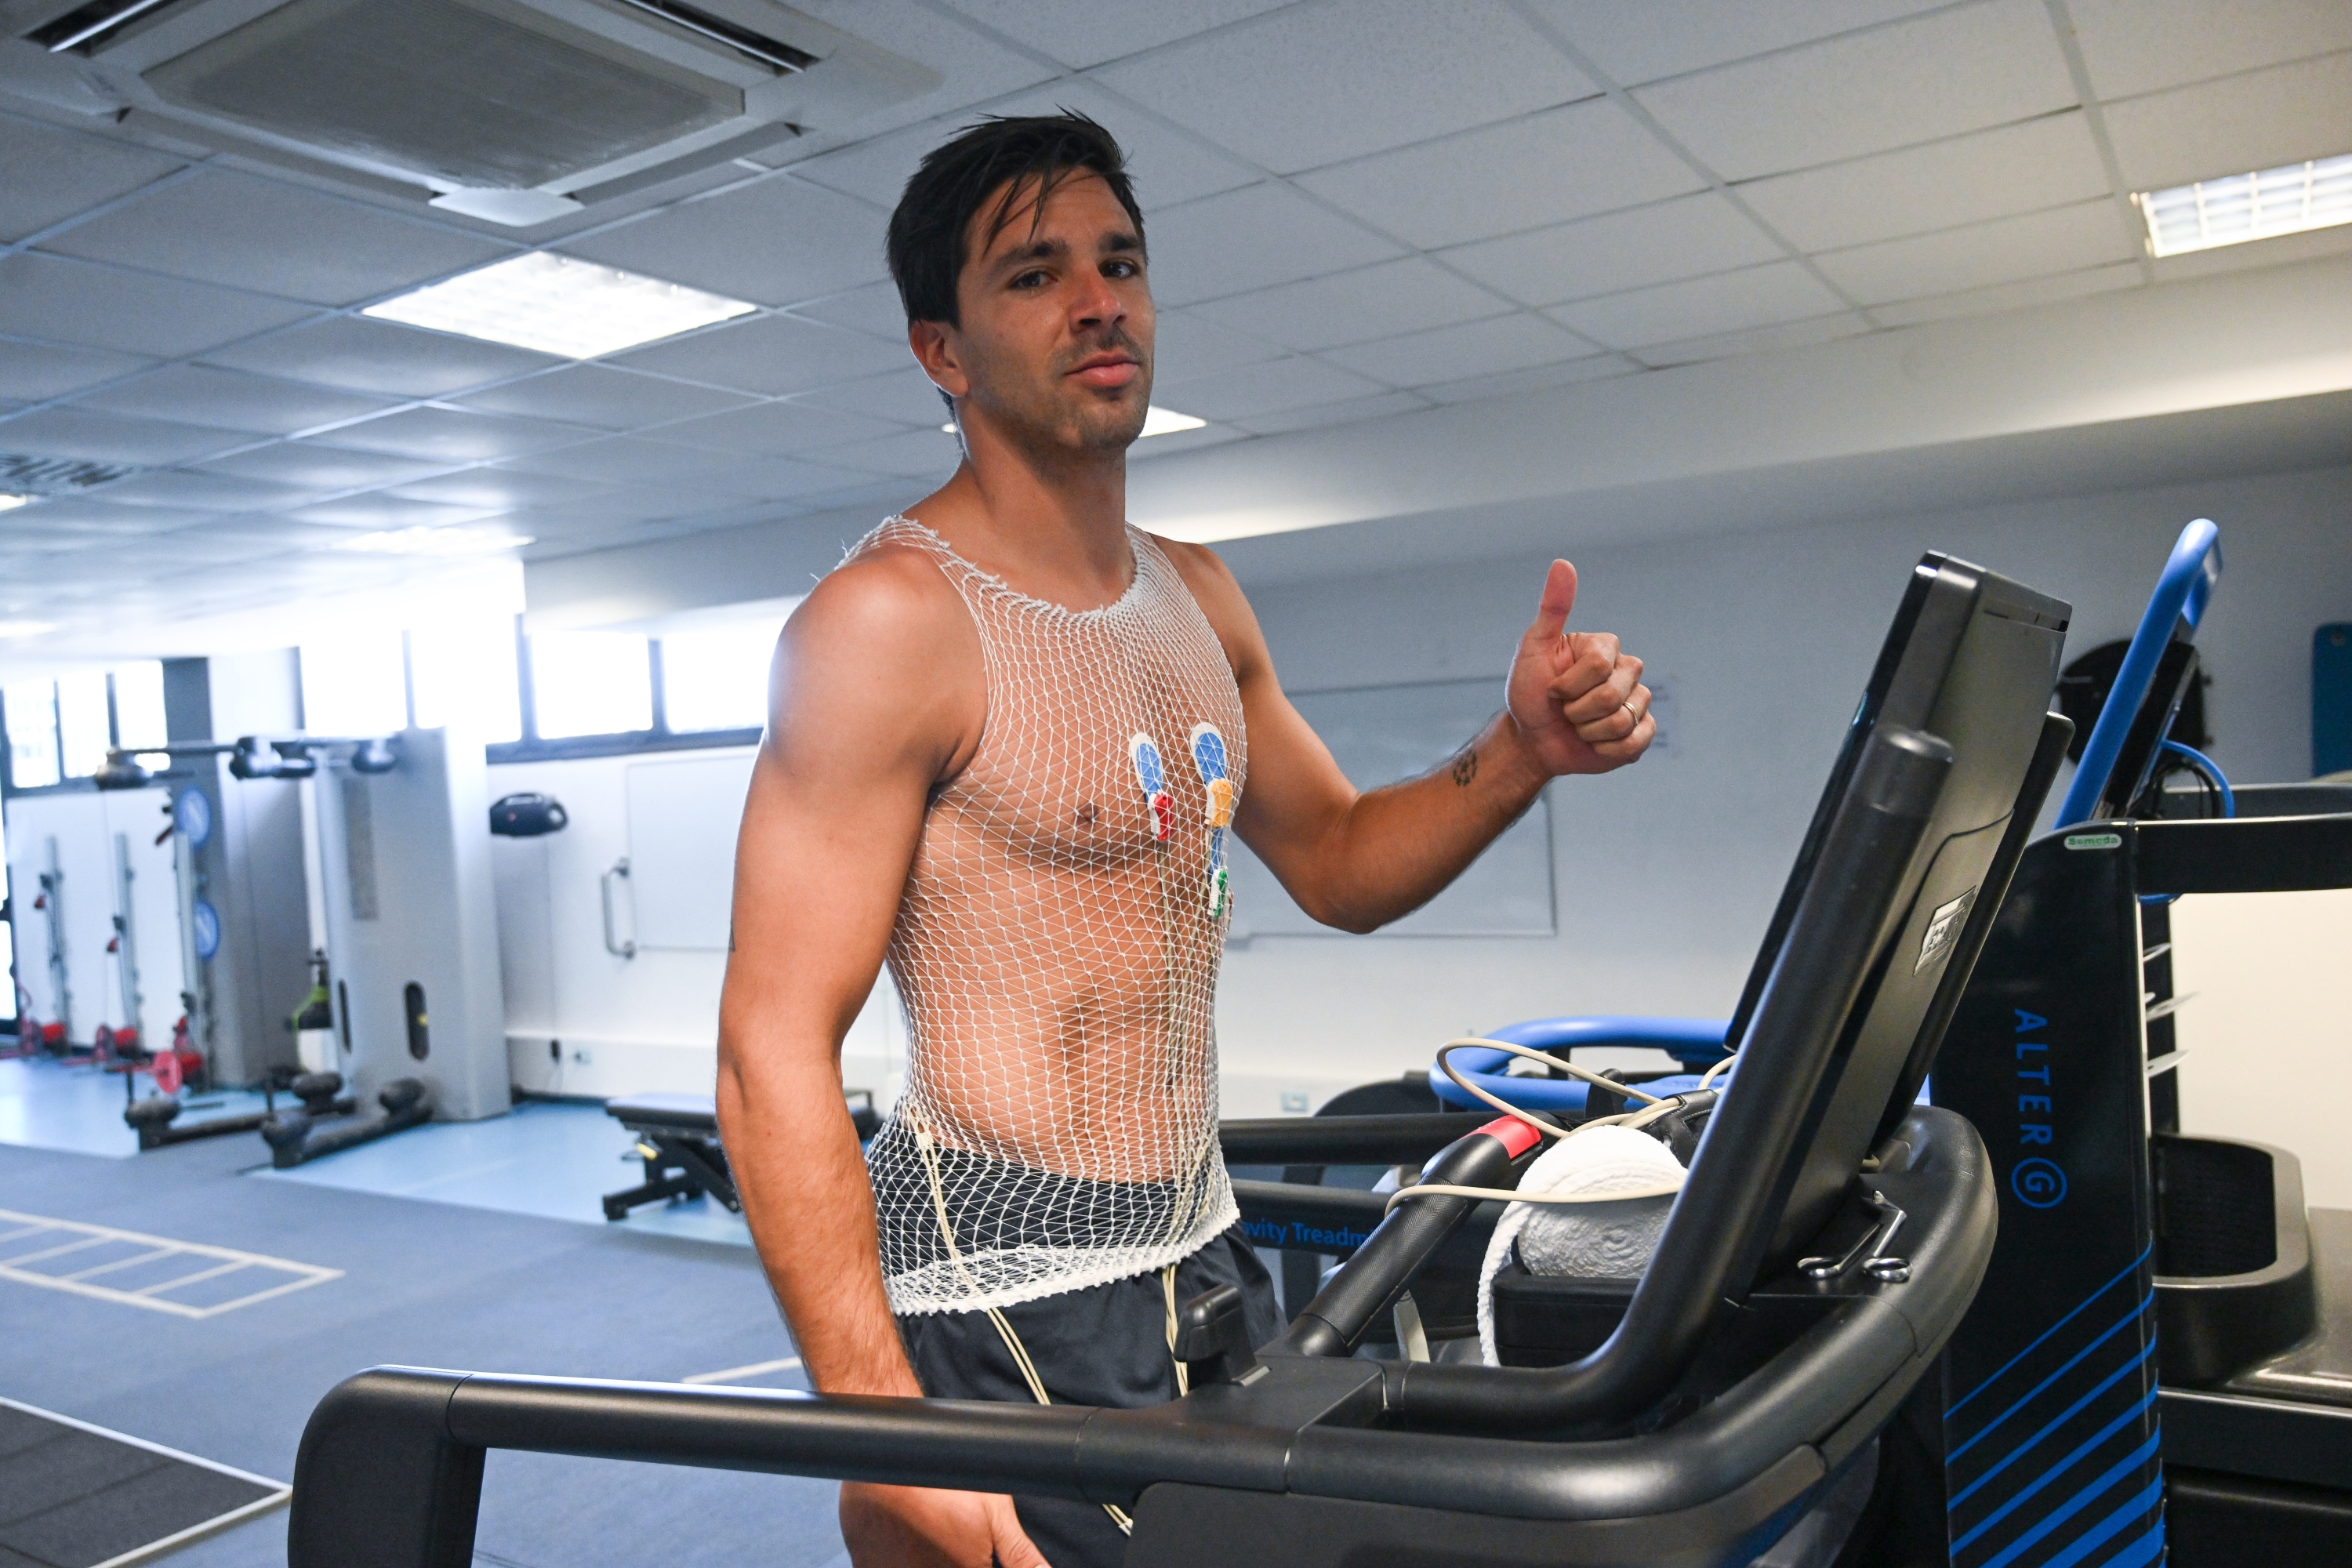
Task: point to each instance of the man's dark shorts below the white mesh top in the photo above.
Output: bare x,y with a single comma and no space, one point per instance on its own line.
1104,1346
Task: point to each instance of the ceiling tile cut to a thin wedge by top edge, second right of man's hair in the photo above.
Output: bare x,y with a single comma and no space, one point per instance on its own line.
1643,43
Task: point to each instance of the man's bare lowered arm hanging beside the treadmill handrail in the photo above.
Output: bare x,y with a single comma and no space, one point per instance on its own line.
876,697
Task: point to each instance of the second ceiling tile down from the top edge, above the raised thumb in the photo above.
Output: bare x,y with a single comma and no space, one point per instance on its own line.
1549,168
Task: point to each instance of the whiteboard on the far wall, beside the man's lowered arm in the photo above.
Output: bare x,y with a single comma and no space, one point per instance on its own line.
683,824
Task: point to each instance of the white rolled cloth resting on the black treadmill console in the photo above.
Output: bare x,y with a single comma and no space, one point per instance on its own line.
1603,1240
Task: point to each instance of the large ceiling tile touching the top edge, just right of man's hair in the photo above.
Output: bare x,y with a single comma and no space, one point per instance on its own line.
1339,79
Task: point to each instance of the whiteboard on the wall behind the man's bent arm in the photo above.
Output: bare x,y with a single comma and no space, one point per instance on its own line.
1382,735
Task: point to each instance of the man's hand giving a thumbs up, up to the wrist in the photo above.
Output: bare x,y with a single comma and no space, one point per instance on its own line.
1577,699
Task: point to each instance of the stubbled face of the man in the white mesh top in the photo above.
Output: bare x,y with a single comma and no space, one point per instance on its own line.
1057,337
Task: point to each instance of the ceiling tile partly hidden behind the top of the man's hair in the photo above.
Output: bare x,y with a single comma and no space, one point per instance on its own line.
1165,166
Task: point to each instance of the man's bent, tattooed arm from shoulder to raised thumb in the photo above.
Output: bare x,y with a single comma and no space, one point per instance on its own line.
1363,859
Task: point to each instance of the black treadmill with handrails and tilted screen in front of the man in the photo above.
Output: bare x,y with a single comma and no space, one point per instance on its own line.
1725,1400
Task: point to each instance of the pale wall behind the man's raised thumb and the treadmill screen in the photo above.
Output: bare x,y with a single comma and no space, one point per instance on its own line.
1669,871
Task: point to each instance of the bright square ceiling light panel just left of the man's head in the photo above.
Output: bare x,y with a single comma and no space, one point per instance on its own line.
559,307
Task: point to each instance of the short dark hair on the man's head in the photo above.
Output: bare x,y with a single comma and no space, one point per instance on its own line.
930,229
